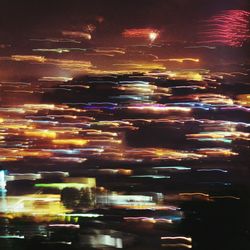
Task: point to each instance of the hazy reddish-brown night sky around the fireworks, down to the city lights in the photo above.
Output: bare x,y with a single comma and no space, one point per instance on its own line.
22,23
